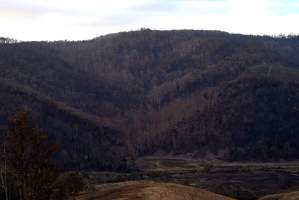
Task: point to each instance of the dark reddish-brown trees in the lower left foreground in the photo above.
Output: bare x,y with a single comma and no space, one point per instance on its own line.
28,169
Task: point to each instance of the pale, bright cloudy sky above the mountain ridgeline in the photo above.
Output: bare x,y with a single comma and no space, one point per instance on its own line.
50,20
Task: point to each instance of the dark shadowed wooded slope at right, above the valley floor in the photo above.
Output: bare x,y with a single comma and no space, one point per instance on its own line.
250,118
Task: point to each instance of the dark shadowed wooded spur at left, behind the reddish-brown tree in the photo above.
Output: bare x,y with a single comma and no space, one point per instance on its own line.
74,130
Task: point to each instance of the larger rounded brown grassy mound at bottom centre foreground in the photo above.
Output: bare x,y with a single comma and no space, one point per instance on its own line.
149,191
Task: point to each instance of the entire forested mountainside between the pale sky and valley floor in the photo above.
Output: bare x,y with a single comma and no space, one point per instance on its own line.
124,95
